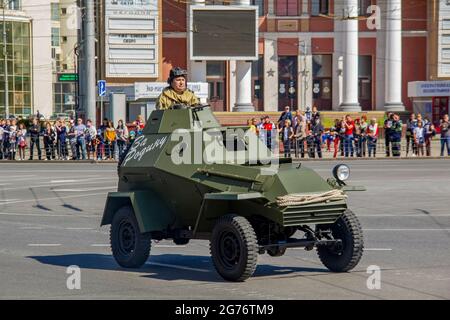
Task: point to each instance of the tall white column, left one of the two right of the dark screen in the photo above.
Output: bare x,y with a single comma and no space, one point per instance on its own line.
350,29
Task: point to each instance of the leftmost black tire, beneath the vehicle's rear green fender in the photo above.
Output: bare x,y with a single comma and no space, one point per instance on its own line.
129,246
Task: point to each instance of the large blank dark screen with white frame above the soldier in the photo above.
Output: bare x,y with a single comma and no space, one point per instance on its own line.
224,33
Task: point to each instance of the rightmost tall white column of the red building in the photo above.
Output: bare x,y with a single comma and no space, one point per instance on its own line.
393,101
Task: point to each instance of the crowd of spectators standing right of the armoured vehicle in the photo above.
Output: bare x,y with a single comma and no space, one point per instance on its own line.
302,133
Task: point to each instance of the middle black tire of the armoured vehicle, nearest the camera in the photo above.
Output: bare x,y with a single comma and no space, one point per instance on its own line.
234,248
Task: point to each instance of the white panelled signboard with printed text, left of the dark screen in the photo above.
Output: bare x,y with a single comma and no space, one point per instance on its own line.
131,45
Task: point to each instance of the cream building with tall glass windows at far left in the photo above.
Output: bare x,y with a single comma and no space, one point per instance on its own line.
41,35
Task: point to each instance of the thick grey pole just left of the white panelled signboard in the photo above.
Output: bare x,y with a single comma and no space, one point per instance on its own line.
89,61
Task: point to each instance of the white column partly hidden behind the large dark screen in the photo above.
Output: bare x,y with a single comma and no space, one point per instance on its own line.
243,80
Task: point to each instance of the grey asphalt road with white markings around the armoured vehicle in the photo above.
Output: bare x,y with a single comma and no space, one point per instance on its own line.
50,216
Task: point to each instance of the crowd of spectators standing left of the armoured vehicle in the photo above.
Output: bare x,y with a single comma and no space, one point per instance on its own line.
66,139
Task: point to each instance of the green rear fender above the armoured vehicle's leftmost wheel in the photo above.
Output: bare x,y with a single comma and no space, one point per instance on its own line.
151,212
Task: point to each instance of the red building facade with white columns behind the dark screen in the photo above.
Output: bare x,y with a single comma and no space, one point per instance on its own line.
338,55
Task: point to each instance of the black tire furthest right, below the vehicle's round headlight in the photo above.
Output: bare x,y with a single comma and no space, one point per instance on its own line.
344,258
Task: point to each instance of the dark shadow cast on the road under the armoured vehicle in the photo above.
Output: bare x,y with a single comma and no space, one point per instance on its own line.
166,266
